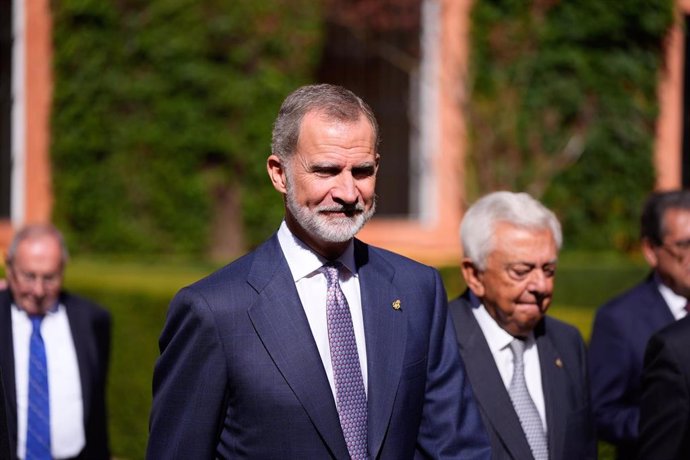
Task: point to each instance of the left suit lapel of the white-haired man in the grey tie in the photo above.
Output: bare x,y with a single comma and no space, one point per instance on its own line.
488,387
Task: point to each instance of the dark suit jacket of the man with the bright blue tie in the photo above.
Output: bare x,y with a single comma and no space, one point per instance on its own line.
91,329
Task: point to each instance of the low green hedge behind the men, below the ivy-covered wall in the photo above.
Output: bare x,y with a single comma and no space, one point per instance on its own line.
137,293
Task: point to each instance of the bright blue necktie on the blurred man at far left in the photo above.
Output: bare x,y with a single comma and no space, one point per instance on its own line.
38,423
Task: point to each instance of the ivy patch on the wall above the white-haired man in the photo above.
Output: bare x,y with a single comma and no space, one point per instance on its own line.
563,105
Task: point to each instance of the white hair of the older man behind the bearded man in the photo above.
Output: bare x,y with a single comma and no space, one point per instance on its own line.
519,209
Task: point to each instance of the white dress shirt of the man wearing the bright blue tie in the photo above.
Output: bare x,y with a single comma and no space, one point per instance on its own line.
66,405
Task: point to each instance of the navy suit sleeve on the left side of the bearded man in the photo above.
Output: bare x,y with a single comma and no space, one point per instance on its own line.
189,383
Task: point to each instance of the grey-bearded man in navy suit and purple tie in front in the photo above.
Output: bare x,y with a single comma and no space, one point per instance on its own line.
247,368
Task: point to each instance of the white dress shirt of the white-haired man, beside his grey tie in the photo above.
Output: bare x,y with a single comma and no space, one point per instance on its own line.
499,344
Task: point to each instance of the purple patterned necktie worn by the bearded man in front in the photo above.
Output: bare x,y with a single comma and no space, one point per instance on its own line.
349,386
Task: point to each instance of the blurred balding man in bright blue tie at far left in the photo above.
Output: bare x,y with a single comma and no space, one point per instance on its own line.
54,354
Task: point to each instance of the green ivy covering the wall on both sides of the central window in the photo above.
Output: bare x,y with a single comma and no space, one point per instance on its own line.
163,109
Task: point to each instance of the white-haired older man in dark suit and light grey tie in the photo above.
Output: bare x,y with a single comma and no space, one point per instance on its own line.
528,370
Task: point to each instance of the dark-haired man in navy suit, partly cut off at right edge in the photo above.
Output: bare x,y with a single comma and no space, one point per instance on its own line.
624,324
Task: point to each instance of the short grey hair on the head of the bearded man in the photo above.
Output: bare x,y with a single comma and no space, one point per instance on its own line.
335,102
